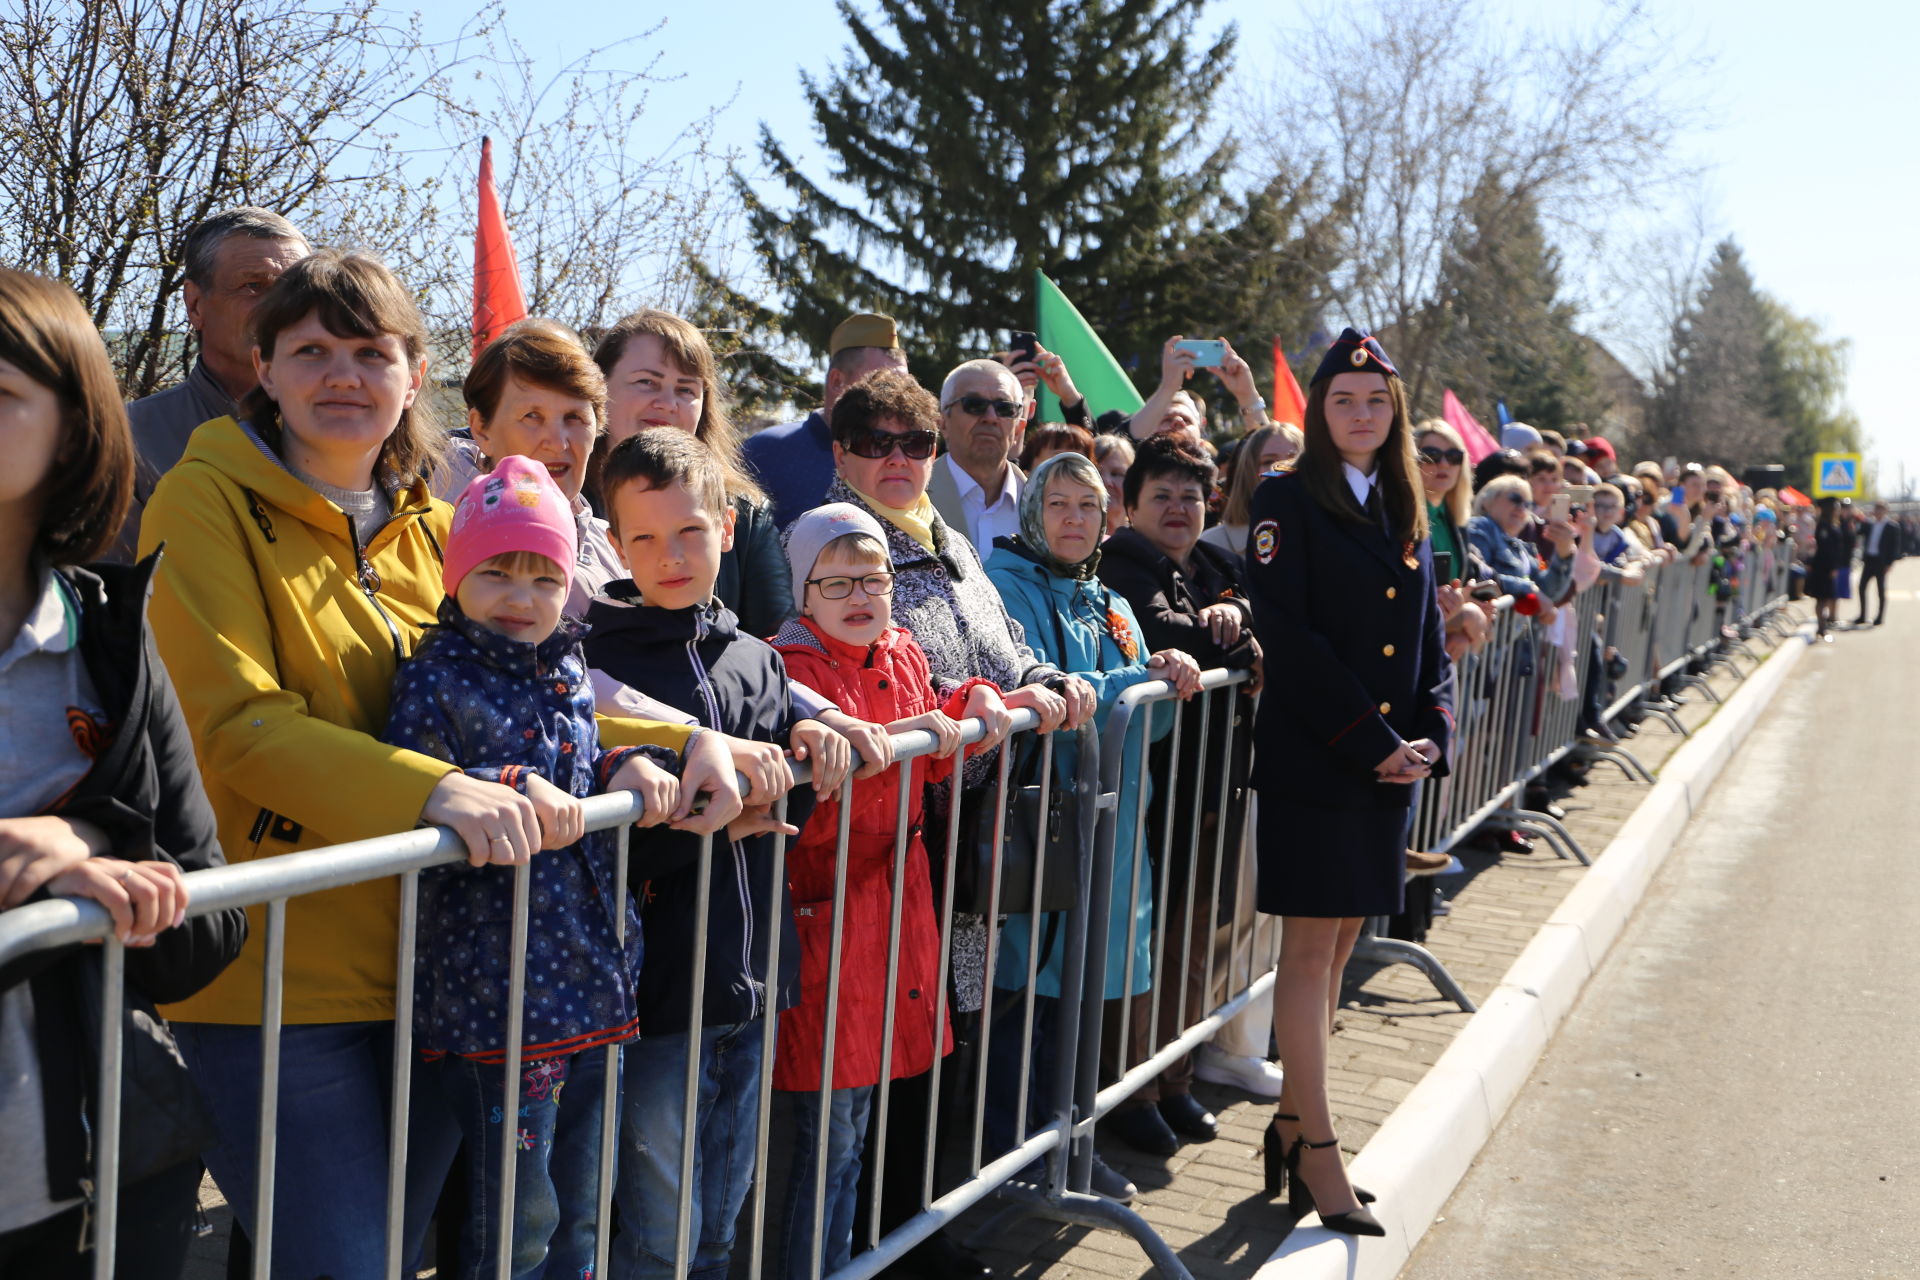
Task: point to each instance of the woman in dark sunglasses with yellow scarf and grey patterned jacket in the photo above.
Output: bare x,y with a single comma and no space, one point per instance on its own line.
886,433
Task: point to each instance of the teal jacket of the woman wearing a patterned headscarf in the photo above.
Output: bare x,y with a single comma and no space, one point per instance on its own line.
1067,625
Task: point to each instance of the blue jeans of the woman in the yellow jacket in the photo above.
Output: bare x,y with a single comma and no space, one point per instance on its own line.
329,1208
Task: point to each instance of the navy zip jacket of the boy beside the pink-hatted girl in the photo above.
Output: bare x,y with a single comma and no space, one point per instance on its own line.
700,663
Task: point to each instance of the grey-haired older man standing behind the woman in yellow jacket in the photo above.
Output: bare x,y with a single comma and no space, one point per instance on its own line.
231,262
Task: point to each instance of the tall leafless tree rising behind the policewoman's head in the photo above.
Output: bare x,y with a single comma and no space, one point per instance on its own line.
1410,105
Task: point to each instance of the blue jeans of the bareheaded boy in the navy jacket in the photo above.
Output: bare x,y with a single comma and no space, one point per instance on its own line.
652,1126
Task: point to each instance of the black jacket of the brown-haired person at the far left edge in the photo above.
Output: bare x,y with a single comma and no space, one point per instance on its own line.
145,794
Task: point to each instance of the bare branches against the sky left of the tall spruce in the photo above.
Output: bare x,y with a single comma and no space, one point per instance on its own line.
133,120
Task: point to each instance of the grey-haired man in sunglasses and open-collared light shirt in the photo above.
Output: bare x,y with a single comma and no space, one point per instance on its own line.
976,488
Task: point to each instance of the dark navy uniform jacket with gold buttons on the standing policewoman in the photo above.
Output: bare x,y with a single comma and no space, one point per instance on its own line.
1355,652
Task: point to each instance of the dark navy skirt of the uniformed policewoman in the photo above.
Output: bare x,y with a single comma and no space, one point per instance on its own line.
1332,863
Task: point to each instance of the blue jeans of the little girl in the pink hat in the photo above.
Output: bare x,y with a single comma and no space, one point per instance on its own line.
556,1172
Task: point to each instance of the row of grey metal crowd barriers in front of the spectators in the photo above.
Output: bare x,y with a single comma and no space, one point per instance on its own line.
942,1145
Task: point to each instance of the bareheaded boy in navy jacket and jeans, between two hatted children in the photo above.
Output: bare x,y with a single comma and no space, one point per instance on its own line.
665,636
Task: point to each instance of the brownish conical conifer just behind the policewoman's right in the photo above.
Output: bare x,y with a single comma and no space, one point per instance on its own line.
1506,331
